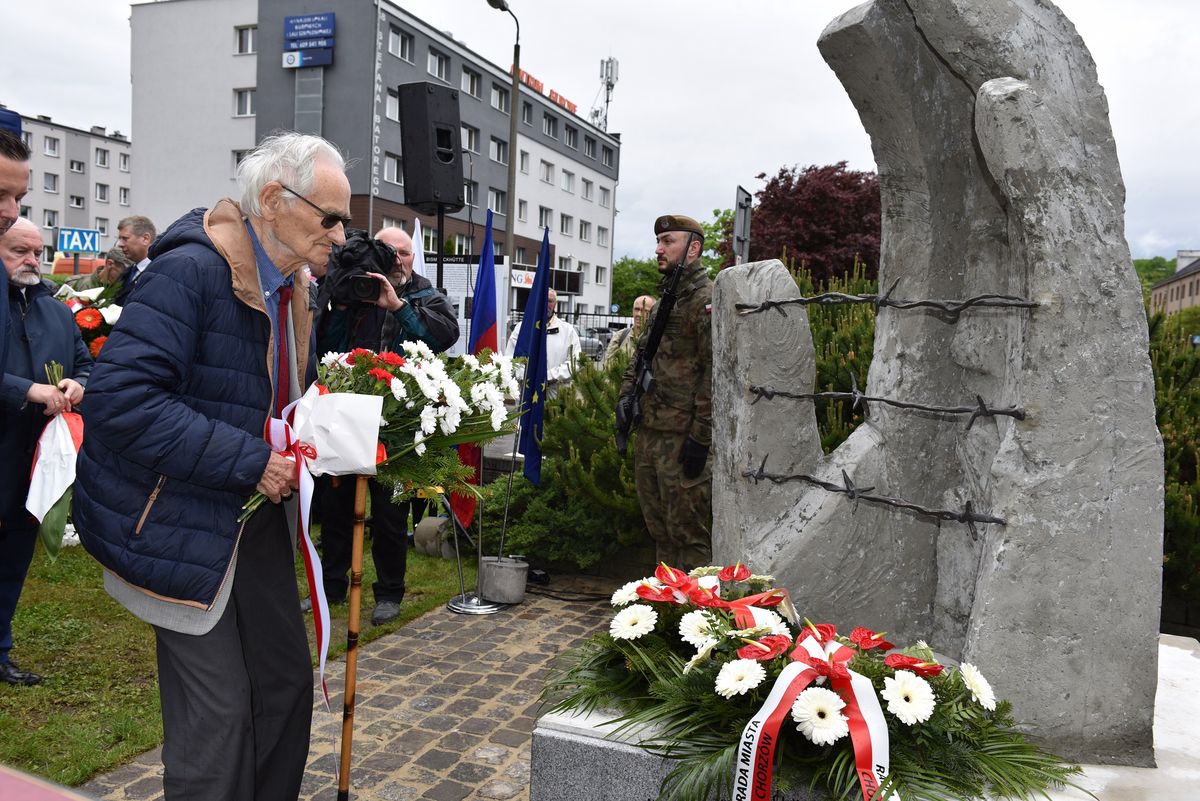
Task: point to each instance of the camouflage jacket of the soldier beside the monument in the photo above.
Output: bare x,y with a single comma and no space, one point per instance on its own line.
682,399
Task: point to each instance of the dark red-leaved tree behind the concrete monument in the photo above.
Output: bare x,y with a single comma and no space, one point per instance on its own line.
823,216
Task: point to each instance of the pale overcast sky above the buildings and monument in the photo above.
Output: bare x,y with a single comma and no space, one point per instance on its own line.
706,99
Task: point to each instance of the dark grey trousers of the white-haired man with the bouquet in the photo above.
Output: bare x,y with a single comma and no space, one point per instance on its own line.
237,702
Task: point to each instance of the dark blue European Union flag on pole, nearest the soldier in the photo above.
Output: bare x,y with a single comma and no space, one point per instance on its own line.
532,345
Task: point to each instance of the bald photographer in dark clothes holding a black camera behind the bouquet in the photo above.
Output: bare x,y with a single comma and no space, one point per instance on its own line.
371,299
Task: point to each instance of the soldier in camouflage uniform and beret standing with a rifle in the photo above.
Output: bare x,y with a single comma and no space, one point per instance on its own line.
673,469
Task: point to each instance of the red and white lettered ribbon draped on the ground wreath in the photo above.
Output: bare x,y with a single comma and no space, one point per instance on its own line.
868,728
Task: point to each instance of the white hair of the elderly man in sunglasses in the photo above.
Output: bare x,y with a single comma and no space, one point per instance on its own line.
287,158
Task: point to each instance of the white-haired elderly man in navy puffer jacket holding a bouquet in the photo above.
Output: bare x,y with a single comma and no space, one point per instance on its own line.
214,342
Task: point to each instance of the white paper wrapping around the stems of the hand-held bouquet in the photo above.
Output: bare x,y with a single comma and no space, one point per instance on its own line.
343,427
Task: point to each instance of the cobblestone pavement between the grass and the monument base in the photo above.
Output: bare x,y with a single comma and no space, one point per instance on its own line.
445,709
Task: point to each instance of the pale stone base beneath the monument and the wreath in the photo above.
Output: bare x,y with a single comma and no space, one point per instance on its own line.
579,758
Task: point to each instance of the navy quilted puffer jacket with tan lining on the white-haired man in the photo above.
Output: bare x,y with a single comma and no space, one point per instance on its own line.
176,412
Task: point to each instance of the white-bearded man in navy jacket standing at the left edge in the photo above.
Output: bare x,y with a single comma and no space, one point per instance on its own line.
41,332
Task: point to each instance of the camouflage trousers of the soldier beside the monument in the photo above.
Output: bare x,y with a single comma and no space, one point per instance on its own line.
679,511
